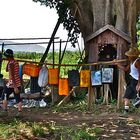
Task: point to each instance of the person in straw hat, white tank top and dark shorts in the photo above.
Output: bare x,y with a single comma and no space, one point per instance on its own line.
134,68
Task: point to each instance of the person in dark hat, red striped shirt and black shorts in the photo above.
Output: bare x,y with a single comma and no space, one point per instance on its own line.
13,84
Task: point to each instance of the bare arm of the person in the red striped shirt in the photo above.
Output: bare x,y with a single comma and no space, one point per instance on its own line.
11,72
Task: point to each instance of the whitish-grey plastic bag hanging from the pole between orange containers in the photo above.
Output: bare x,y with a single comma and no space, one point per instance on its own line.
43,76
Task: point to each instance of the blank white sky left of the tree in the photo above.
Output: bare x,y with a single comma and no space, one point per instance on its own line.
25,18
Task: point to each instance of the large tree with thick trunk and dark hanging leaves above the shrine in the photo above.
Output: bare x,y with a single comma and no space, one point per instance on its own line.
92,15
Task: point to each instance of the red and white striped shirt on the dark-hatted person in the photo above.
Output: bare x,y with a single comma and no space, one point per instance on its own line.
16,76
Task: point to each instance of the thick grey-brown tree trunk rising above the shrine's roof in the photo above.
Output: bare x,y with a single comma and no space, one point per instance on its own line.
92,15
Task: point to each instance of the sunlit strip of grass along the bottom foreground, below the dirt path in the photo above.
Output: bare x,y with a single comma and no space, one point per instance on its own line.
17,129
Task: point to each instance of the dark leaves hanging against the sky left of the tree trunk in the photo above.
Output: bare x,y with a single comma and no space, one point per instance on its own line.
63,10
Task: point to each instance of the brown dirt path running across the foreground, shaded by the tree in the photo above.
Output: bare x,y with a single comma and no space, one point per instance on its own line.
114,124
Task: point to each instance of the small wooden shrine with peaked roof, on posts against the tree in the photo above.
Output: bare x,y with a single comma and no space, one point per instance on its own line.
107,44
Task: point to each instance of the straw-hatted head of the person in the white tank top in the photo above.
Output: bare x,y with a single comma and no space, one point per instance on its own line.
132,53
